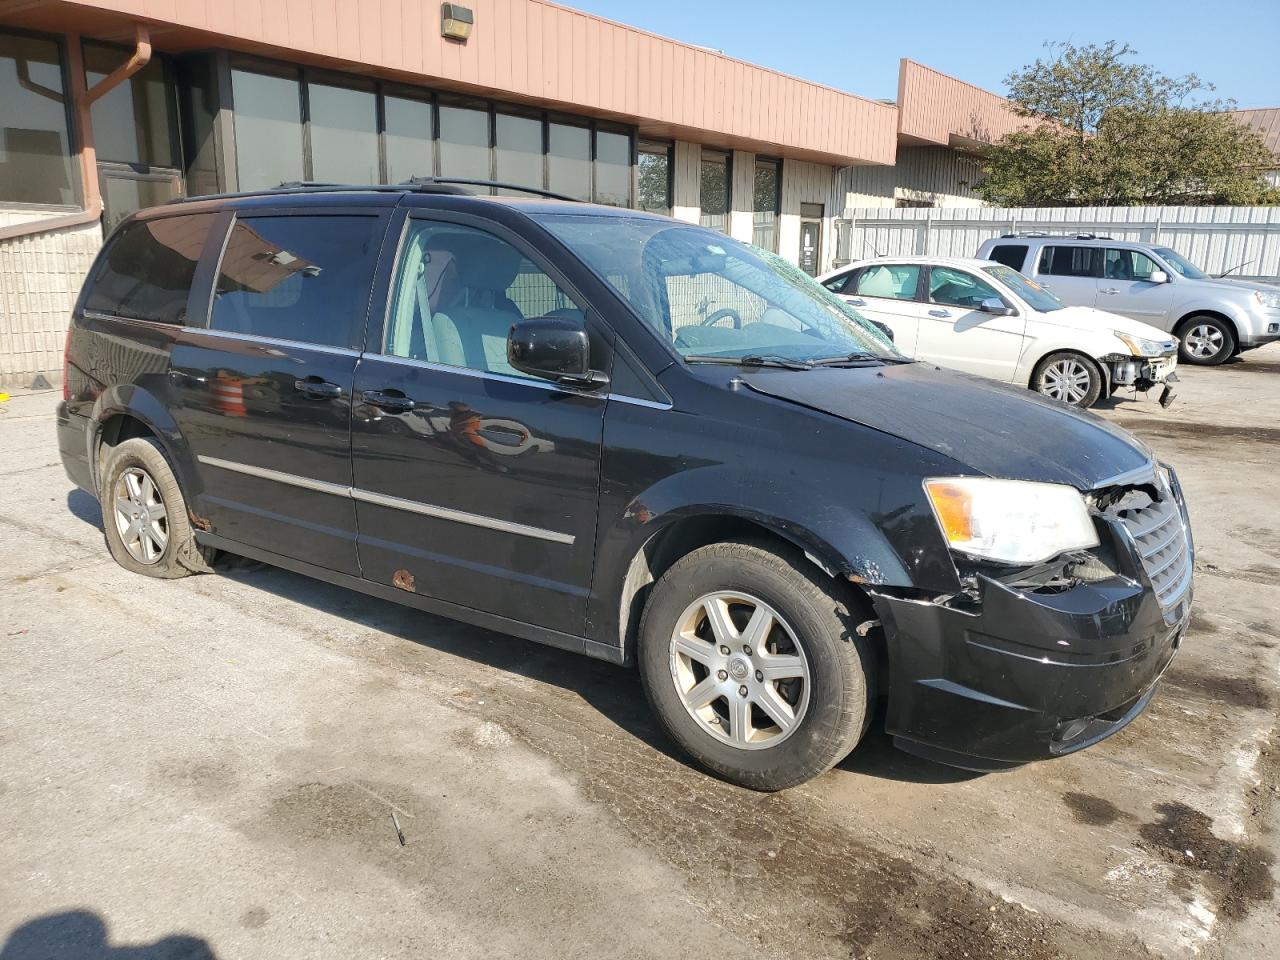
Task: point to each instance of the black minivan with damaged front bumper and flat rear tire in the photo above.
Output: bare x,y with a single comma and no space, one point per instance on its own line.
634,438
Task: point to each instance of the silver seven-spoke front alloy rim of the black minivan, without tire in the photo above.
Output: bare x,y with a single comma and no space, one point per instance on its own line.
739,670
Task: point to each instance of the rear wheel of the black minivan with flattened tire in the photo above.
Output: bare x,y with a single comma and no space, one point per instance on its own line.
145,515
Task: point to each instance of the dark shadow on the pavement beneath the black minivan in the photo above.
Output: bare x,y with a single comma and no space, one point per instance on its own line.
615,693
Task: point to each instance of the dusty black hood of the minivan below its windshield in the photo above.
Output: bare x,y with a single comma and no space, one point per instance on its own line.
995,429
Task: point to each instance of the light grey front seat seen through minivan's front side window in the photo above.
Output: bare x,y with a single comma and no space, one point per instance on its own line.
472,328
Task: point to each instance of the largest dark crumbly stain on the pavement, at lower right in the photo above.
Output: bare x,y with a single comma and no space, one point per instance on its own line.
1241,874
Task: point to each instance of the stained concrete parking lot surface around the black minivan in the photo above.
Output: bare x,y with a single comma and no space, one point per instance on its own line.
211,767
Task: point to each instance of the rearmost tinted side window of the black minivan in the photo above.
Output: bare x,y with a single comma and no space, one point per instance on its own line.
147,273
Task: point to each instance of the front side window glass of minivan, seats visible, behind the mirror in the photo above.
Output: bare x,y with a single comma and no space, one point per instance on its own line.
458,294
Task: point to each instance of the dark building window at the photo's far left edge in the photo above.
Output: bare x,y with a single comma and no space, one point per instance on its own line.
35,140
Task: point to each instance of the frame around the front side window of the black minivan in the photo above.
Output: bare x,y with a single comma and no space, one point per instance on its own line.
600,333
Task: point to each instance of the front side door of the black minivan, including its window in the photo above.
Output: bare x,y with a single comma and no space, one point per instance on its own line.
474,483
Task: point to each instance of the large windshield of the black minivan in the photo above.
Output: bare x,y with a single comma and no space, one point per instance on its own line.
714,298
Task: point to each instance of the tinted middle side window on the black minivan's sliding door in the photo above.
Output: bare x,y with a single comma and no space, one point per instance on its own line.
298,278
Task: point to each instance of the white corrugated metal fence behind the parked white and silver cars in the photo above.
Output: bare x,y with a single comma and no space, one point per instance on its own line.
1218,239
